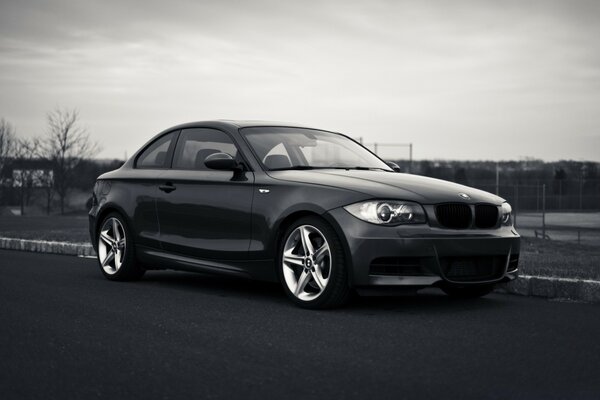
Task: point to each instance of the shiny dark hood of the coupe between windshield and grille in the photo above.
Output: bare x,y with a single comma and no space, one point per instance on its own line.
390,185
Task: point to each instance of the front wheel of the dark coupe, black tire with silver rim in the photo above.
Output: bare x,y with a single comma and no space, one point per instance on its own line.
313,275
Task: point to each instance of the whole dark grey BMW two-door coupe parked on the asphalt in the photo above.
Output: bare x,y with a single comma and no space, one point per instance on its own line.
312,209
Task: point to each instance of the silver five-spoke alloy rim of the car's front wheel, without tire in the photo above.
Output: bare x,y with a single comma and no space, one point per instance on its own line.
306,262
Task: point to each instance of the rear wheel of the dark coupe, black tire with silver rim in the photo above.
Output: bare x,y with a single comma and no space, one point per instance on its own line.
116,250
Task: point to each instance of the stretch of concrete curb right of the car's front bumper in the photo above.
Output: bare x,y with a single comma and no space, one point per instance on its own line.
554,288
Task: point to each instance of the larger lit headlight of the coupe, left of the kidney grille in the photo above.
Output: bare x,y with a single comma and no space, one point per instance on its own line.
383,212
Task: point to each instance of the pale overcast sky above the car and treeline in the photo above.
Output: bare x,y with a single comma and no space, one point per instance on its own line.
459,79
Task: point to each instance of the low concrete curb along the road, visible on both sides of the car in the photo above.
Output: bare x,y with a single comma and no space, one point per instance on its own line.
526,285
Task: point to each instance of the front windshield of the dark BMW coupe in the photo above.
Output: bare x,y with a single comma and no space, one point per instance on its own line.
299,148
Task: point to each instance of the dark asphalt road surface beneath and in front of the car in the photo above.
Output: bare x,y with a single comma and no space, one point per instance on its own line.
66,332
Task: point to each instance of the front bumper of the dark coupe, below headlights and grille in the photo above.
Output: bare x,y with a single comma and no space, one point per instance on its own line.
420,255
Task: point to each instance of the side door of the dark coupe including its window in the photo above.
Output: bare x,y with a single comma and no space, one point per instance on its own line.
205,213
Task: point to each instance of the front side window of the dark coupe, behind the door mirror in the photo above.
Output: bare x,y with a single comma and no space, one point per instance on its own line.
194,145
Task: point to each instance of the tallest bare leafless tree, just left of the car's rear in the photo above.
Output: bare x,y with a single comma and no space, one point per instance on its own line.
67,143
